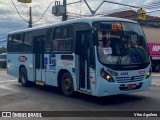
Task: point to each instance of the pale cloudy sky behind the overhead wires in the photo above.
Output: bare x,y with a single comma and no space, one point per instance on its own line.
10,20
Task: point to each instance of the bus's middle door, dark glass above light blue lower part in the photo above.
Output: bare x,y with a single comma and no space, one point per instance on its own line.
39,47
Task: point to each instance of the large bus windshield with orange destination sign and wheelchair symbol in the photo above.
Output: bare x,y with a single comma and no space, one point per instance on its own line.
121,43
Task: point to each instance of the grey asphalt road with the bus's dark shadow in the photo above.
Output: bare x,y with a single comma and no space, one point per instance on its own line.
14,97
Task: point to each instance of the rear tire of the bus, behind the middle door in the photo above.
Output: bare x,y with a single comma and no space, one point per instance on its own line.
23,77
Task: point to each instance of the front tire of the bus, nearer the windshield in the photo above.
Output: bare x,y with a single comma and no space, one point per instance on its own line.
67,84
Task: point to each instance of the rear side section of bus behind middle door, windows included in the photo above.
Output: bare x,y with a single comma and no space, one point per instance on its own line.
19,54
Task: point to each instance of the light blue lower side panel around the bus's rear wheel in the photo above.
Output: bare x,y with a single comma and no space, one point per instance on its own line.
14,61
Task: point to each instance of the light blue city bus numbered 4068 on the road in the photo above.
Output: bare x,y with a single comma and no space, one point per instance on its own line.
100,56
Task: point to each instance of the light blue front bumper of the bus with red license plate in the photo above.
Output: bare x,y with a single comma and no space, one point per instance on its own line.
105,88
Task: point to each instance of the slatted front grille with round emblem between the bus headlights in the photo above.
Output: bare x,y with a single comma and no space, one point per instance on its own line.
129,79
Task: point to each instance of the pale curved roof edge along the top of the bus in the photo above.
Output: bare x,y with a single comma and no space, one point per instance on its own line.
77,20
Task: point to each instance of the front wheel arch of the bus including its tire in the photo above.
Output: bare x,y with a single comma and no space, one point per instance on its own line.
65,82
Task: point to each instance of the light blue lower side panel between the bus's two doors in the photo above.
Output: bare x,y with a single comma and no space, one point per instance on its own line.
53,65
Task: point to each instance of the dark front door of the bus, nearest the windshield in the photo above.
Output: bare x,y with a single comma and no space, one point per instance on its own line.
82,51
